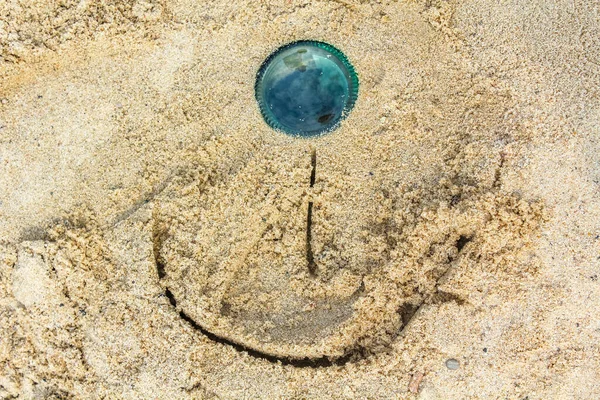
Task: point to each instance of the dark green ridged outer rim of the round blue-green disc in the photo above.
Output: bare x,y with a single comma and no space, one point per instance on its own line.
353,84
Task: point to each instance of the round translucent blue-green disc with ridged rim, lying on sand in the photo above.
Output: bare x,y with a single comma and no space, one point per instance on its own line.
306,88
